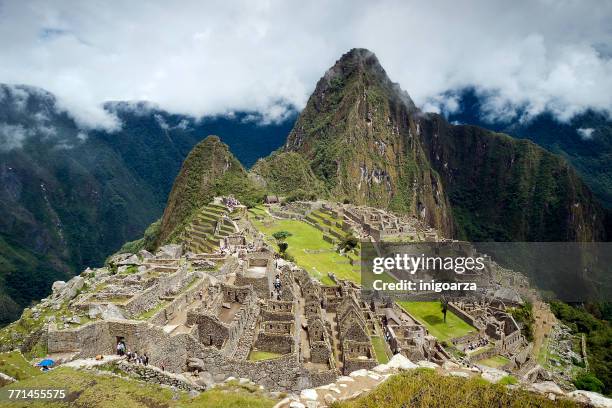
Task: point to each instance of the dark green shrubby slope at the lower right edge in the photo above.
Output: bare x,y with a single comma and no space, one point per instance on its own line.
598,340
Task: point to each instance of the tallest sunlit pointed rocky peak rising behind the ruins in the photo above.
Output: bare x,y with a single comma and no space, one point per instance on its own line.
358,132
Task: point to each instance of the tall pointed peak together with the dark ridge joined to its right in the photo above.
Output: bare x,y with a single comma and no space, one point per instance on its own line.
364,138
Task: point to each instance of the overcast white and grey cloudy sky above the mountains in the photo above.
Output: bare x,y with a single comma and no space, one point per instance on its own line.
210,57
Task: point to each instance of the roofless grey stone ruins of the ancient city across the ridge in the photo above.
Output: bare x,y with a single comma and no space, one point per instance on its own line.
209,313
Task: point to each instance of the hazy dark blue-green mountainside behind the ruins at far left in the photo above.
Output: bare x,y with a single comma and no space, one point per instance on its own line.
69,197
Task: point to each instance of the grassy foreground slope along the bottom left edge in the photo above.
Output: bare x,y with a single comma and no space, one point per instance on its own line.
87,389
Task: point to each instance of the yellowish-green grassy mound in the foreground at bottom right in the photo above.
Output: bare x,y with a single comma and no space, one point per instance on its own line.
424,388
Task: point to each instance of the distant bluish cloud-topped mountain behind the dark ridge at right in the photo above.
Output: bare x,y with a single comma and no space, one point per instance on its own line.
585,140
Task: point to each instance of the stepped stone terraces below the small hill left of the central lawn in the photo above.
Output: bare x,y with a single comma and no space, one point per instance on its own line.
204,233
